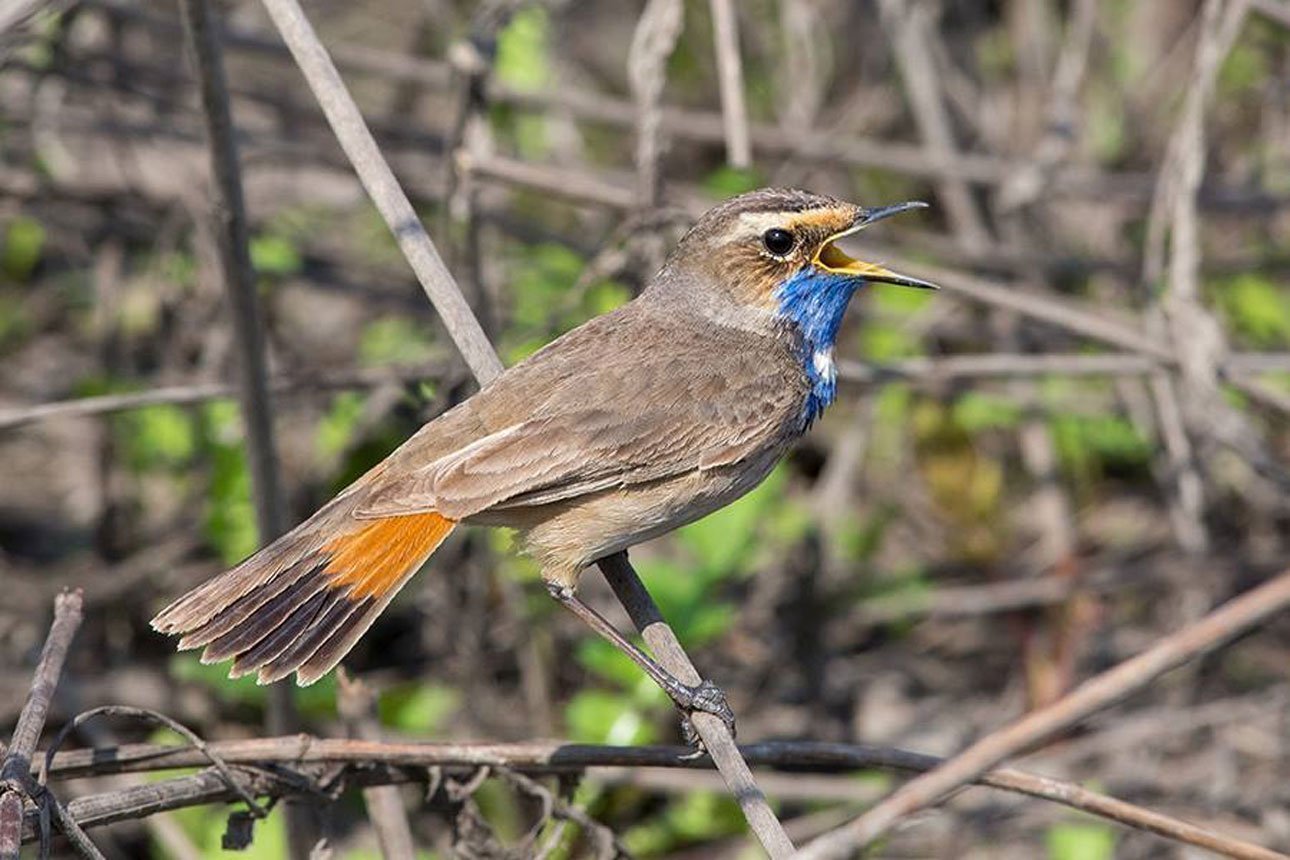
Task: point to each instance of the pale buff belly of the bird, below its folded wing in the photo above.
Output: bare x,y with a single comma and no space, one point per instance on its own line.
568,537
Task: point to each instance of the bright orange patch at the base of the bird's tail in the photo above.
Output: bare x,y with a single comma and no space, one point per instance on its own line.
375,559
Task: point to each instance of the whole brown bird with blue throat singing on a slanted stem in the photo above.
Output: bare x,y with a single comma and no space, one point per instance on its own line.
633,425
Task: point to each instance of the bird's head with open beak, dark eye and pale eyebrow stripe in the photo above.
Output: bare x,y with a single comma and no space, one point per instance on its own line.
775,248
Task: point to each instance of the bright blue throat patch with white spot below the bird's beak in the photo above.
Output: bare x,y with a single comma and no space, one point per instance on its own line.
815,302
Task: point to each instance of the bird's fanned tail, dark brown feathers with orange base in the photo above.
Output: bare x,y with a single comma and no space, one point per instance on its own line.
301,604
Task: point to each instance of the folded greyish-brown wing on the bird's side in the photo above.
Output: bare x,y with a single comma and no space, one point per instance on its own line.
648,416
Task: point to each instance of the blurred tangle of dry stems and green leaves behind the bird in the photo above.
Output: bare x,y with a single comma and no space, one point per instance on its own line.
1074,449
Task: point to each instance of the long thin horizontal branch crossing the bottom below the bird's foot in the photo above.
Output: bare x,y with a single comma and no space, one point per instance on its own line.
388,763
